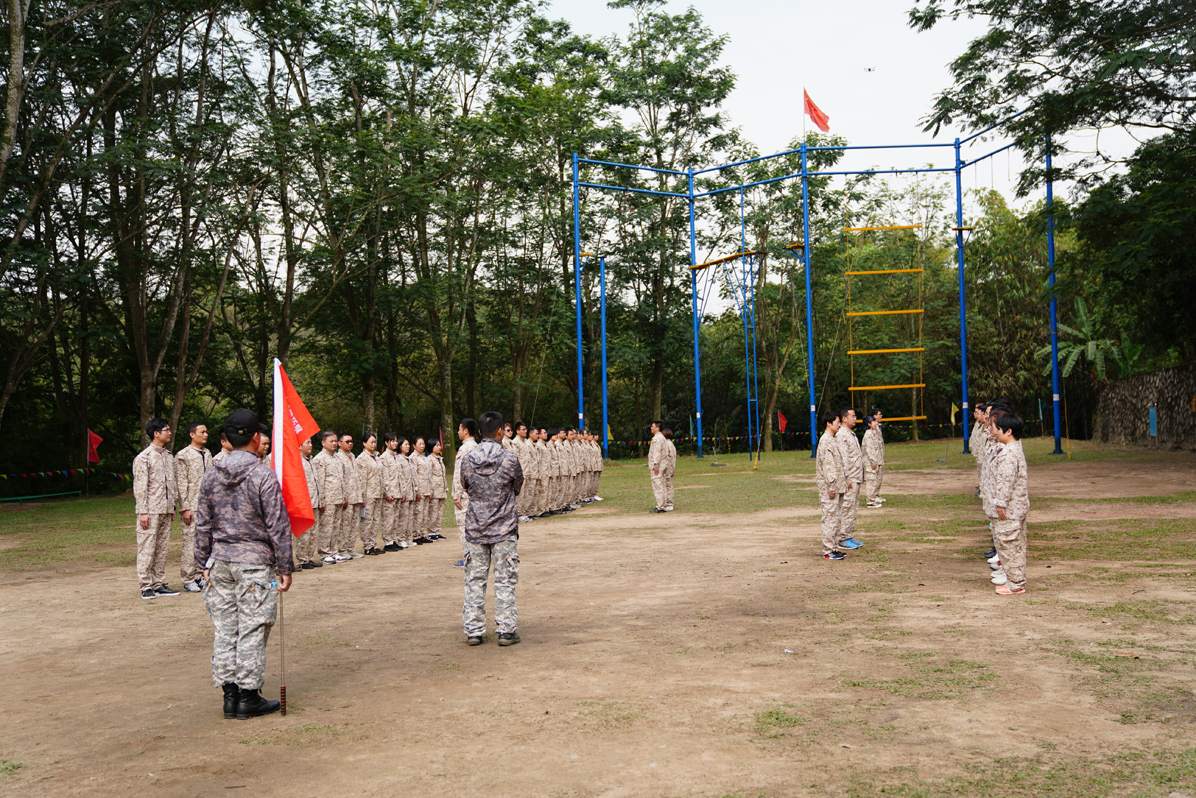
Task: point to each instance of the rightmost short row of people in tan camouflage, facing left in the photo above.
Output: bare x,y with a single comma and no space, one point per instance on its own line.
1004,490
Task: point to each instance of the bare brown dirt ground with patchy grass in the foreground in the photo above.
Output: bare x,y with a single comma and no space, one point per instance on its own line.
680,655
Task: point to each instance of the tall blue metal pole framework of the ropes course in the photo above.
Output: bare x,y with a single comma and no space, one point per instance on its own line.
748,271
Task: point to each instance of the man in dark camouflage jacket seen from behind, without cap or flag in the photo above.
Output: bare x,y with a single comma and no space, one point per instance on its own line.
493,479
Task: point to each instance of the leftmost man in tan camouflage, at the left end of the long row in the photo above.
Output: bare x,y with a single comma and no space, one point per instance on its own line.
154,488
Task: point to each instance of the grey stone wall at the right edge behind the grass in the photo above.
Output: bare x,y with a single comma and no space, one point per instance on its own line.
1122,416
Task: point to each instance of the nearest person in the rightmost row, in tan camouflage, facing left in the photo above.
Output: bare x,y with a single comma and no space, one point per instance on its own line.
1010,503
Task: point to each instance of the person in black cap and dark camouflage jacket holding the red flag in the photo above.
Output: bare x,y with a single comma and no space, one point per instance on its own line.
243,538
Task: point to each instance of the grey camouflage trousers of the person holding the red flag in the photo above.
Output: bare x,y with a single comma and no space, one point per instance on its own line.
242,602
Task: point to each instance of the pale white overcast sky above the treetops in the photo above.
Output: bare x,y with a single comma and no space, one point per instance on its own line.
862,64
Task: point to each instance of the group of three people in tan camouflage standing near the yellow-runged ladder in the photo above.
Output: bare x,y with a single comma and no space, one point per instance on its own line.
843,468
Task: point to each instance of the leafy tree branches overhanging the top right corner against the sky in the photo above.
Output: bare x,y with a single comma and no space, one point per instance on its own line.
1073,65
